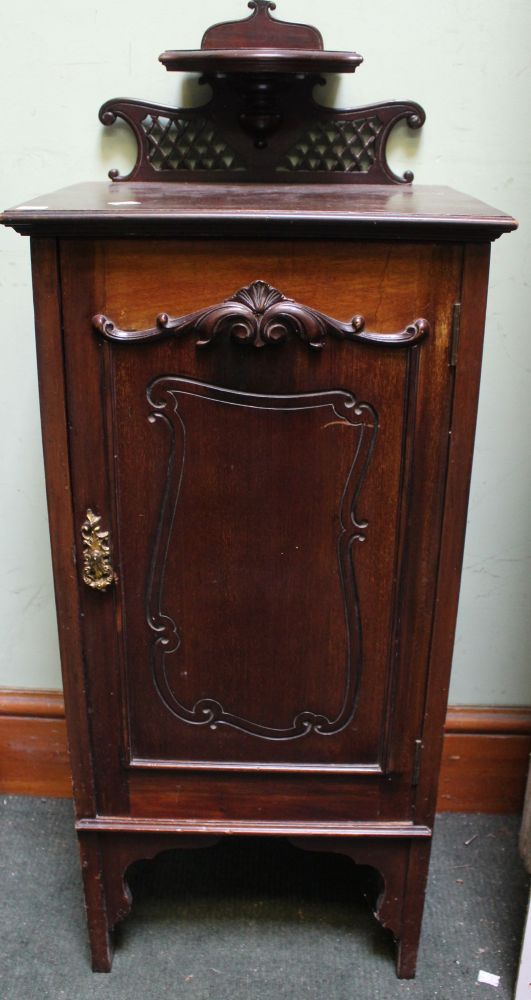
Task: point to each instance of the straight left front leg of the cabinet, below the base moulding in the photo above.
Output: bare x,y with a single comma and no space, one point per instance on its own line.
99,929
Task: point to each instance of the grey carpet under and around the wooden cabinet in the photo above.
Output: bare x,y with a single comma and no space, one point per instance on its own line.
254,921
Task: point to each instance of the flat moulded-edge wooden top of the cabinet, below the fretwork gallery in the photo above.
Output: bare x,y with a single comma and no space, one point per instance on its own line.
140,209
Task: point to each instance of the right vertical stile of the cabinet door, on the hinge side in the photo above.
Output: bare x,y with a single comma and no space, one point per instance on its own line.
423,515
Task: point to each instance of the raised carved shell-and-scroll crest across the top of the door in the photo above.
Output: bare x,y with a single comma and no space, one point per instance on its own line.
258,315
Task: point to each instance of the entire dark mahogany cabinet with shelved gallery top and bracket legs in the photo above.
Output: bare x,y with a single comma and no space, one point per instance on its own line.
258,404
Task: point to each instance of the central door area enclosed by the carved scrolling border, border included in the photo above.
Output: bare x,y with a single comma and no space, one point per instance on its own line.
245,585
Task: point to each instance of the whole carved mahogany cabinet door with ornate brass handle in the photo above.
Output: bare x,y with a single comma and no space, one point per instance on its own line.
272,480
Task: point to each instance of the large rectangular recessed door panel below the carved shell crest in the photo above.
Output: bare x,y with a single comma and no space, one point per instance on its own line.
263,535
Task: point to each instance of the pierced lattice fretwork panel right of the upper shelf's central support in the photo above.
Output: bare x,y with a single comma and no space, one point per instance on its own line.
337,145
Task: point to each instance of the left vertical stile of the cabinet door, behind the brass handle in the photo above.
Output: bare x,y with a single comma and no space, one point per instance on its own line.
92,472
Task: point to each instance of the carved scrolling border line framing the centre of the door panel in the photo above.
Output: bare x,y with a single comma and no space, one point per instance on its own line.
169,397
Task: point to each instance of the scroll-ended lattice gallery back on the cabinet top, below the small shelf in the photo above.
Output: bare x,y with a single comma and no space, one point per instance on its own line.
264,130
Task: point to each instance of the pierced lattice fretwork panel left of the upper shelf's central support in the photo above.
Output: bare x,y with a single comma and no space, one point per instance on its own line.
187,144
